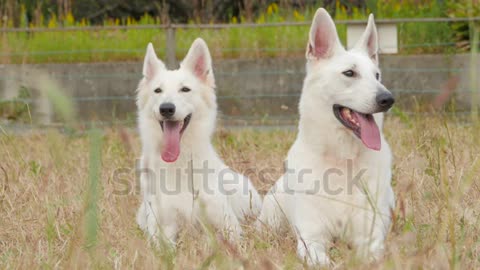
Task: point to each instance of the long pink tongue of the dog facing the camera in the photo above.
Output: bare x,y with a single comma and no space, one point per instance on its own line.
171,149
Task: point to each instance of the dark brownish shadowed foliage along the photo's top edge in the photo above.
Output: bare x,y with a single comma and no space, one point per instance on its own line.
169,11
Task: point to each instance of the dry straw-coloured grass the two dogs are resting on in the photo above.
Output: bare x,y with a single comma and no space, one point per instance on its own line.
45,210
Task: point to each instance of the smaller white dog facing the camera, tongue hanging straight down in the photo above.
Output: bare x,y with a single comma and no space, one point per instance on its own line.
181,174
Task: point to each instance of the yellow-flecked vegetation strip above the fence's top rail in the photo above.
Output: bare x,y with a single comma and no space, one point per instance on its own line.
25,13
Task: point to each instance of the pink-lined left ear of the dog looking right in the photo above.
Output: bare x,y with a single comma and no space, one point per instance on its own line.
323,39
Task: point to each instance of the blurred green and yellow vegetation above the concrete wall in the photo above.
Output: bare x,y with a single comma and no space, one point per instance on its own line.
128,44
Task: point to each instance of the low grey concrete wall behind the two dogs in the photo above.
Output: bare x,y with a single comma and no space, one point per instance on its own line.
247,89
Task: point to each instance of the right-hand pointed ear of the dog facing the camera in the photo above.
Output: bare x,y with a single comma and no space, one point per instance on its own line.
199,62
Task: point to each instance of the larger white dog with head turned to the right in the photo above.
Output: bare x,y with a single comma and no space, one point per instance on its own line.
337,183
